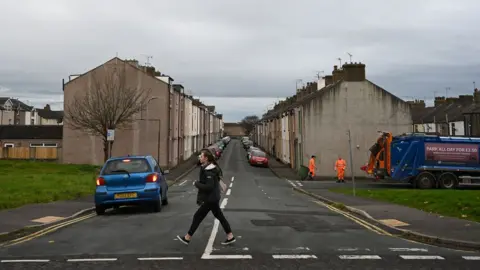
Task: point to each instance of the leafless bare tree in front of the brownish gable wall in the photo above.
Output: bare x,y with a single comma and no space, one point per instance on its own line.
108,104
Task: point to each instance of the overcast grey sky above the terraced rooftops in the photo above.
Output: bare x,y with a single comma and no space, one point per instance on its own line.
222,50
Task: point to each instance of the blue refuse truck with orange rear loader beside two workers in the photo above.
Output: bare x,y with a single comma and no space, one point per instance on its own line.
425,160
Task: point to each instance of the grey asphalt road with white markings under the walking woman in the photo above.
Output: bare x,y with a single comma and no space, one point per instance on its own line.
276,228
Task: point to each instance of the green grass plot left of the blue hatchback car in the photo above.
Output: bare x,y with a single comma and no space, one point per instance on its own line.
27,182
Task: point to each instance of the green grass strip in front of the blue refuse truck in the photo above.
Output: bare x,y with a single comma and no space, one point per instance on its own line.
464,204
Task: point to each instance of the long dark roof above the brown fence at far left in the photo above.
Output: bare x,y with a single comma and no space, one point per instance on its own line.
26,132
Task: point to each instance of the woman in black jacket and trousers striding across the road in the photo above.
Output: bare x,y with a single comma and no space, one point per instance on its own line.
208,198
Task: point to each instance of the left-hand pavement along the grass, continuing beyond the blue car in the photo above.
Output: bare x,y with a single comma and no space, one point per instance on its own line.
39,215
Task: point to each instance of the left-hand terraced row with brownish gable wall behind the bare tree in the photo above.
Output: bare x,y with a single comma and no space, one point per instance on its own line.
171,128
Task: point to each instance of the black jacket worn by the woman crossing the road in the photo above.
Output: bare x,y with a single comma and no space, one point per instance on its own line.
208,185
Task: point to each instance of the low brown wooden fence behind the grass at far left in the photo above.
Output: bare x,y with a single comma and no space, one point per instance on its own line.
43,153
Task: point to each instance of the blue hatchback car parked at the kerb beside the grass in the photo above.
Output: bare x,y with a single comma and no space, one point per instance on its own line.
131,180
